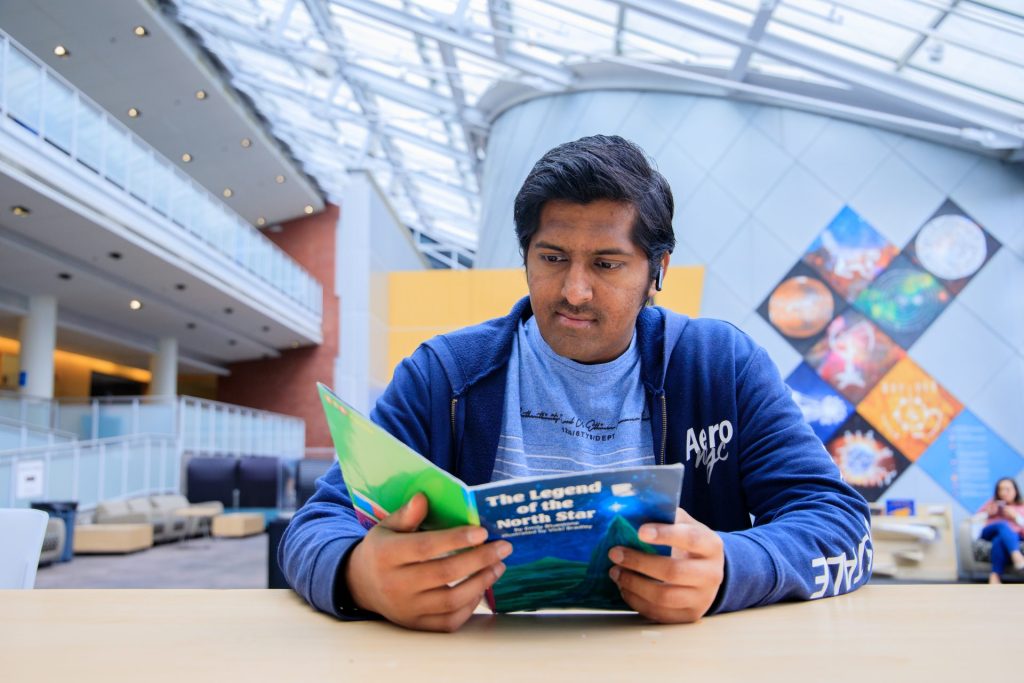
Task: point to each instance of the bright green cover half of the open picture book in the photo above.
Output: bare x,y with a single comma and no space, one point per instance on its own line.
382,474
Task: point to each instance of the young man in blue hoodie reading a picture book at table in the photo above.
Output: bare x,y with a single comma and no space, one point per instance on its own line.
764,516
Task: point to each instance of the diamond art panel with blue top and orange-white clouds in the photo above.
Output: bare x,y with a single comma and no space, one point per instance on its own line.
849,253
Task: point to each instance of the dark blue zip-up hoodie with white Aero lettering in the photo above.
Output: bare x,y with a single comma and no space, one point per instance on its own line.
755,473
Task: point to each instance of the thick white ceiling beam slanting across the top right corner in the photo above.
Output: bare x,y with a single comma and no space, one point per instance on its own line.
831,66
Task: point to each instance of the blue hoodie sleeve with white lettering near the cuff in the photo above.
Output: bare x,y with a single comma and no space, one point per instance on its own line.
812,534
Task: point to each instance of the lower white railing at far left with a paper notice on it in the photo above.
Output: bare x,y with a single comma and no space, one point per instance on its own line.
92,472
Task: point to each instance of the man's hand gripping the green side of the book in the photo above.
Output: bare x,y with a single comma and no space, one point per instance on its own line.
413,578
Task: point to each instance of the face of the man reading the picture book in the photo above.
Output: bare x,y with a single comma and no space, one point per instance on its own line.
587,280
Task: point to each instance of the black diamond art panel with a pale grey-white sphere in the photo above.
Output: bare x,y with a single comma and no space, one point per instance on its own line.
953,247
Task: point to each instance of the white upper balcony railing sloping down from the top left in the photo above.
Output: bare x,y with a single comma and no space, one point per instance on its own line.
37,104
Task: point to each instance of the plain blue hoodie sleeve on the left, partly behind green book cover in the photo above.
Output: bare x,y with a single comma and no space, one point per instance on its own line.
321,536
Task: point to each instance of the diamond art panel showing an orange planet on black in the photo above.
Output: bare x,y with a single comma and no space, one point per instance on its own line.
800,308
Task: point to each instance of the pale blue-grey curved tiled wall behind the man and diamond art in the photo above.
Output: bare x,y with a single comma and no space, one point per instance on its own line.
755,185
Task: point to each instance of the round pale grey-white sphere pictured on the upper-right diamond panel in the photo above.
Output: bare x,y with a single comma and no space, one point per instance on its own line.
952,247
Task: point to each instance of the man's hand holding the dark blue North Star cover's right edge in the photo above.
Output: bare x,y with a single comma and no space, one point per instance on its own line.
673,589
